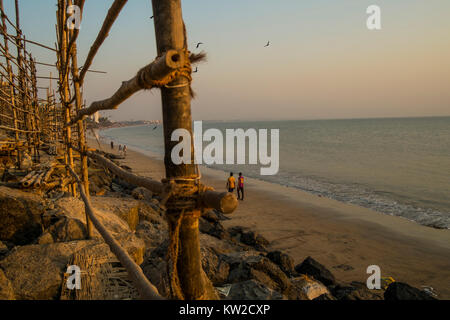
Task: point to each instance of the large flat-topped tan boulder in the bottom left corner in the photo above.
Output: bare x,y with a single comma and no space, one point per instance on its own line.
36,272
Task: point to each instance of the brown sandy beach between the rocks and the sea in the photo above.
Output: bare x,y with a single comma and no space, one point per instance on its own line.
345,238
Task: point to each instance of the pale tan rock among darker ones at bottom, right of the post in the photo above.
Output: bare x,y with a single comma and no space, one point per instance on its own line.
305,288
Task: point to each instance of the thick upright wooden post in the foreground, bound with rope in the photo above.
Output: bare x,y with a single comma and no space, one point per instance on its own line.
176,101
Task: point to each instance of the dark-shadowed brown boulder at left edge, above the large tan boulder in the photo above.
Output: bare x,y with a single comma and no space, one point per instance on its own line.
20,216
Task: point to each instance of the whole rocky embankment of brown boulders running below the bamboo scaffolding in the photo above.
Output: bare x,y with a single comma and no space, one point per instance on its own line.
41,234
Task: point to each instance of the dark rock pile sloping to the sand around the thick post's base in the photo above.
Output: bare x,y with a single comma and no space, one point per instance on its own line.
241,267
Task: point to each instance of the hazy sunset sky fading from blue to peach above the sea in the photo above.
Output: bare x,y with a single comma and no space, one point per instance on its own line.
323,62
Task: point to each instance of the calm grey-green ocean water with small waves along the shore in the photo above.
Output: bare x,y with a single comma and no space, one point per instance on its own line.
395,166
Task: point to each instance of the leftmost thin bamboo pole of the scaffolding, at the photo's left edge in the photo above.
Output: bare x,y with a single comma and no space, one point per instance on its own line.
11,87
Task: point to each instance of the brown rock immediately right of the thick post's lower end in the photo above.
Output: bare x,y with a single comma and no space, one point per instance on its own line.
214,266
